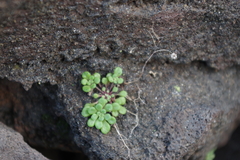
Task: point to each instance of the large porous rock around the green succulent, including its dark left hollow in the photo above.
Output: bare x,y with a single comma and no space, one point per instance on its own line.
187,99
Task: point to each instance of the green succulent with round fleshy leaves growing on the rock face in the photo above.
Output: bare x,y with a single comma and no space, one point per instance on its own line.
110,102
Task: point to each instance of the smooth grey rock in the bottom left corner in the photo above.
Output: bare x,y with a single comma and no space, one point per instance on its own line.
12,146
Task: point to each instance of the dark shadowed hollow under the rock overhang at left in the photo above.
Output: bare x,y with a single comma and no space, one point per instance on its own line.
31,113
